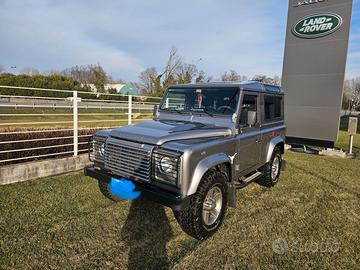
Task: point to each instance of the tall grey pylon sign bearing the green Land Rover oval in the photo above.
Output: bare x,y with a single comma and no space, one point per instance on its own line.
314,66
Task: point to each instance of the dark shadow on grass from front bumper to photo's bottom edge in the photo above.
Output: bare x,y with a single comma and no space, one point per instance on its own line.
146,232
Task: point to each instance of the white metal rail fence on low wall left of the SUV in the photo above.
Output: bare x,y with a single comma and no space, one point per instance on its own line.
31,125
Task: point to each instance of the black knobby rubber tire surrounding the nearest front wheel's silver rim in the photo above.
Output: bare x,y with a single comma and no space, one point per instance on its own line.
190,219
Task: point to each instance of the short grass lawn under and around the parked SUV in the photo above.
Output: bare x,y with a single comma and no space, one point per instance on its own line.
64,222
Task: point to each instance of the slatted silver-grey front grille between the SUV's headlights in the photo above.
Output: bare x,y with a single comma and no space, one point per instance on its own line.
128,159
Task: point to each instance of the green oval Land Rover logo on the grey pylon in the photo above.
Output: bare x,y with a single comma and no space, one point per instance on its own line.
318,25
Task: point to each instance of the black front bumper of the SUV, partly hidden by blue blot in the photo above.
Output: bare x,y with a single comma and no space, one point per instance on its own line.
148,191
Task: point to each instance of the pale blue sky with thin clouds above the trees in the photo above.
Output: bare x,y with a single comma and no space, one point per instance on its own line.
127,36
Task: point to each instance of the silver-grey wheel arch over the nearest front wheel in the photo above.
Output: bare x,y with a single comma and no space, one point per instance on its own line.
220,161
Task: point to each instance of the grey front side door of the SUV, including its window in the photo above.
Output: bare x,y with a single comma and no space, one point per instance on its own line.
249,135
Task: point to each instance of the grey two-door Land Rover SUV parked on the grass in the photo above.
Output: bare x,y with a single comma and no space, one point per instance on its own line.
204,142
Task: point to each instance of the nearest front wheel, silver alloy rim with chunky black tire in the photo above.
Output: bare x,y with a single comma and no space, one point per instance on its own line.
207,208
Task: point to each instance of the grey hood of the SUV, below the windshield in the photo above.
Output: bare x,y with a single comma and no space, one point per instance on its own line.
162,131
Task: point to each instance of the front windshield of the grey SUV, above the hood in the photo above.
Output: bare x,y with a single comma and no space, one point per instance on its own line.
220,101
